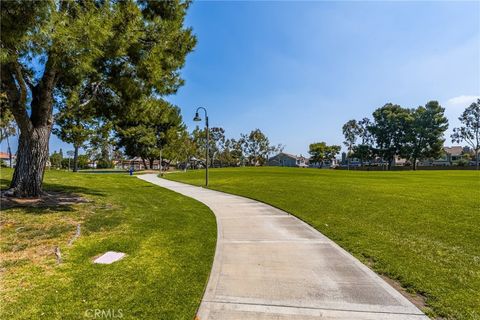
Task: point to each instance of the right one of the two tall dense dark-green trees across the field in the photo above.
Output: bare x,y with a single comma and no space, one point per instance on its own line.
424,133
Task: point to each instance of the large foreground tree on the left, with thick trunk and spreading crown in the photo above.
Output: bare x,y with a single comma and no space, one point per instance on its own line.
129,49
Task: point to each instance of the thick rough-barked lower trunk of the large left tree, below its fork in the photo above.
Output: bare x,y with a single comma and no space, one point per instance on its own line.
32,156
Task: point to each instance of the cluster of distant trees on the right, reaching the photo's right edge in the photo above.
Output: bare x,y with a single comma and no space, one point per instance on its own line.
414,134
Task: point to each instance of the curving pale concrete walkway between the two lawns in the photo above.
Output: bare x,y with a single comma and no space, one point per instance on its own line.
270,265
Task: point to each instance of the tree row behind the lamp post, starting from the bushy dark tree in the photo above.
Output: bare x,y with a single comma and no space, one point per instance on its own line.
175,144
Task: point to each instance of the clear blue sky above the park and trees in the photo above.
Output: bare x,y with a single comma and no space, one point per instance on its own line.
299,70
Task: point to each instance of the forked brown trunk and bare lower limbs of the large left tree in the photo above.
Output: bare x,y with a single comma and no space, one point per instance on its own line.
35,124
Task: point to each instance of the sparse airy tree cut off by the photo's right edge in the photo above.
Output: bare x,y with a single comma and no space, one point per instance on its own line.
470,131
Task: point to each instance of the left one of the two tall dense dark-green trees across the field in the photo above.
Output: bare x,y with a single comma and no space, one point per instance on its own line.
389,130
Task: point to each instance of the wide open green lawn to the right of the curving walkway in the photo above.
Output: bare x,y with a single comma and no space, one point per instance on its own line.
420,228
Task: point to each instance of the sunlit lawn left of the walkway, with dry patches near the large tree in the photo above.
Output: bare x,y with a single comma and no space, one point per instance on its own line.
169,241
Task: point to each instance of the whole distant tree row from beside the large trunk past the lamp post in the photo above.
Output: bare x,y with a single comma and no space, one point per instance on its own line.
145,139
